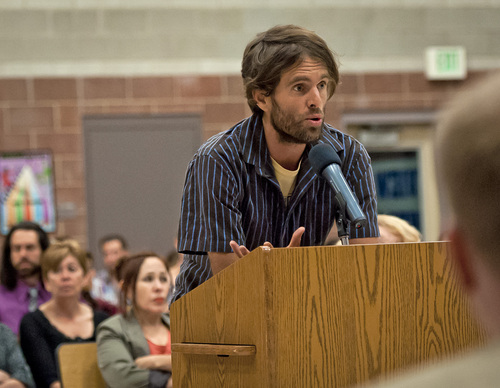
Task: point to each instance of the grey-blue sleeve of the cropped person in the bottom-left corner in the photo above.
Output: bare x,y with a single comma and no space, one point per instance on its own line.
16,364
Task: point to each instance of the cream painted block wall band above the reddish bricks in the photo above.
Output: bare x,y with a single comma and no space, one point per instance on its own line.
129,37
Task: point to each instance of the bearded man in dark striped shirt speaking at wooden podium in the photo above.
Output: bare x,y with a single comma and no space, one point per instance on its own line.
253,184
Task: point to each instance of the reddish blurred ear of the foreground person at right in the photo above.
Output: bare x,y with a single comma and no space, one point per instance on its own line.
463,258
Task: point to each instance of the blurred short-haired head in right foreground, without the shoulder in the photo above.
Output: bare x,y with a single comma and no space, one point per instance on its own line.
468,168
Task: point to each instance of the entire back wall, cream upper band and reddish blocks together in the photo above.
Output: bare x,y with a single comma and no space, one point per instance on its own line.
63,59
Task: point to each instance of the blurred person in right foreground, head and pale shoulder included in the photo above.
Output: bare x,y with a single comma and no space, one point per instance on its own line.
468,166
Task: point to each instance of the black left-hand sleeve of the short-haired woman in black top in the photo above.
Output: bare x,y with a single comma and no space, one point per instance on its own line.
37,350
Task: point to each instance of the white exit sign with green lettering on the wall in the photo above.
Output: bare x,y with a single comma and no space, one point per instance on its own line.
445,63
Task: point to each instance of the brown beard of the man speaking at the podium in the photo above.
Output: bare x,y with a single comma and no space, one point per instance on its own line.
291,130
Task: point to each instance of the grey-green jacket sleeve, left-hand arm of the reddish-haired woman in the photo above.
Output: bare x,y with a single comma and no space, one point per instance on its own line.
116,361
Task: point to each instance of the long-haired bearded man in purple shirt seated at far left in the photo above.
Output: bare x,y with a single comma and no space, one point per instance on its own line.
21,289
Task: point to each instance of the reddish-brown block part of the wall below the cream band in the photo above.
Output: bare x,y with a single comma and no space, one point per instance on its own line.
47,112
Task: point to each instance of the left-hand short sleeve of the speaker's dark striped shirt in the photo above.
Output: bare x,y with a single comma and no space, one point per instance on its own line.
210,215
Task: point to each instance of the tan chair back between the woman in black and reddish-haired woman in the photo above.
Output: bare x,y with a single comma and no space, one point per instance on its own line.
77,364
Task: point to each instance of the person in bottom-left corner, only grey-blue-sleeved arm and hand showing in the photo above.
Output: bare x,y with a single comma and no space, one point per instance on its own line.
14,372
